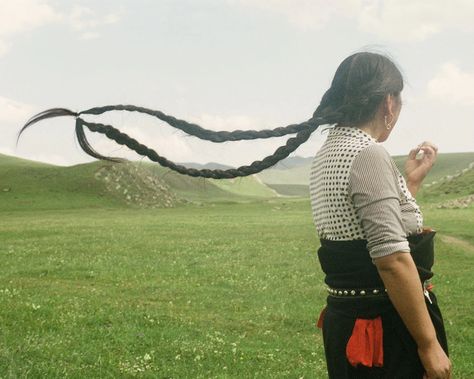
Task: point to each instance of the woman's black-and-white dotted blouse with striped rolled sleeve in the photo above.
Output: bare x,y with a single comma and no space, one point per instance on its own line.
357,192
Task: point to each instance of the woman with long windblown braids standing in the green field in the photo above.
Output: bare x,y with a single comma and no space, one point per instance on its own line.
381,319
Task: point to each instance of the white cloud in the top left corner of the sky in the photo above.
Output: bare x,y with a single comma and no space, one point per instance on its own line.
20,16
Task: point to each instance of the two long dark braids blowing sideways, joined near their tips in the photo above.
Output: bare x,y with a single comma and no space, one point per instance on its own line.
302,130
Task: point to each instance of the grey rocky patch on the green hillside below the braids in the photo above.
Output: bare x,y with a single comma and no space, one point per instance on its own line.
136,186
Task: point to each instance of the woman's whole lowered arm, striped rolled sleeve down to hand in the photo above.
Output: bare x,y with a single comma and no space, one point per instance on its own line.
373,189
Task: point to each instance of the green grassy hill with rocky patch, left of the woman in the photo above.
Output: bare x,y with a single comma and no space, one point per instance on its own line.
27,184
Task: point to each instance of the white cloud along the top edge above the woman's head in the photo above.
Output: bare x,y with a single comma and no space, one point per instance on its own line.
393,20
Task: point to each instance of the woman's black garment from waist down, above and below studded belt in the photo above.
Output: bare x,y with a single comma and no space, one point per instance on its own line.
347,264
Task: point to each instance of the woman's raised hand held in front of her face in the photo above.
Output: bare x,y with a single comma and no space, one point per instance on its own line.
417,169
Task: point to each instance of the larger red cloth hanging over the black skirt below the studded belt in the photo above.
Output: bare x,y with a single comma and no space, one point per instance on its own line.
365,346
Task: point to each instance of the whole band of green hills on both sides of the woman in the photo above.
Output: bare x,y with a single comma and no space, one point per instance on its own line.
27,184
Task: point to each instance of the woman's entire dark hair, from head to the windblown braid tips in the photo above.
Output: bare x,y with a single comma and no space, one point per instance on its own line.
360,84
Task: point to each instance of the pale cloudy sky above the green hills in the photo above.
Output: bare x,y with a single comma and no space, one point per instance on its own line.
225,64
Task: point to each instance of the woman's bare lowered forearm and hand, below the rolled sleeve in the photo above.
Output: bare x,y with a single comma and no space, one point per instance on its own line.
399,274
